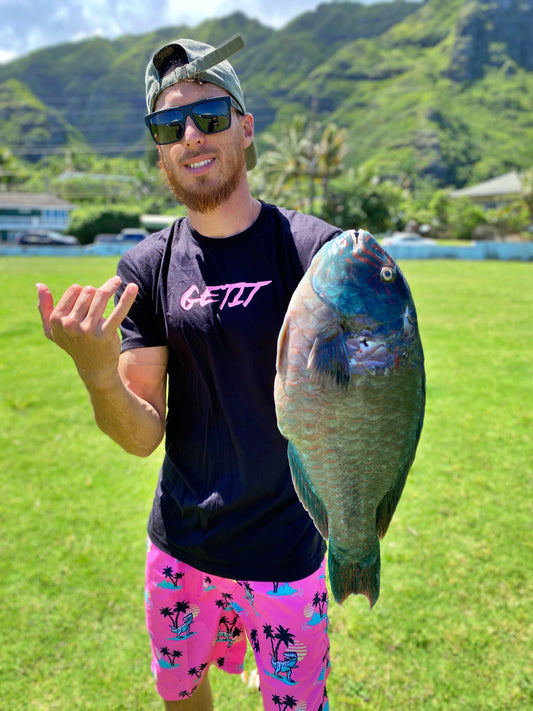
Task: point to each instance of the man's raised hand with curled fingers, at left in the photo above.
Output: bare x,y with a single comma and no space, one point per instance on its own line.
77,325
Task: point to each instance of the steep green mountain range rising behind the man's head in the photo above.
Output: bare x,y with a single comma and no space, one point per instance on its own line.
441,90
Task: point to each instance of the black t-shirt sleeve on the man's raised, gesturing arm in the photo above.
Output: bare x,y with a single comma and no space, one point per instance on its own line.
142,327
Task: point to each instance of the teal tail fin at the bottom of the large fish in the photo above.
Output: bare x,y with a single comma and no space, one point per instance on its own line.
354,577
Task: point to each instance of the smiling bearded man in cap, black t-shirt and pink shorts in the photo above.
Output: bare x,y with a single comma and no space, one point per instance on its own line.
232,553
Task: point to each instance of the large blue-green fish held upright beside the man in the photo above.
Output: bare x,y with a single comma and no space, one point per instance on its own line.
349,394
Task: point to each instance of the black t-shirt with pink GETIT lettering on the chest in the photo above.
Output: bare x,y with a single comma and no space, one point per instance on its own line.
225,502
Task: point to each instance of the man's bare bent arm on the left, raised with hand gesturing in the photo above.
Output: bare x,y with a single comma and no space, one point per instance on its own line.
128,391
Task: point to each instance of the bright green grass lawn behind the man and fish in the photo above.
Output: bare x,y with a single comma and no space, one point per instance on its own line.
452,629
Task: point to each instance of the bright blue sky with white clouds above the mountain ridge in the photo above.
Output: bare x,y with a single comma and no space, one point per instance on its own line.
27,25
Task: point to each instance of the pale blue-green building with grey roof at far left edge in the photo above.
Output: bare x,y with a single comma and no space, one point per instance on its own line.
20,212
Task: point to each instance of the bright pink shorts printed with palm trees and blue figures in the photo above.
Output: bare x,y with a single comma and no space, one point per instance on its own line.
196,620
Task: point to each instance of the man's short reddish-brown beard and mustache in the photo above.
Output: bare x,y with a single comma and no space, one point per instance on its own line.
203,197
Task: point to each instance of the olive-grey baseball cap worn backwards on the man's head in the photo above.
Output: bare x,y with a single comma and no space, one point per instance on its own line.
202,62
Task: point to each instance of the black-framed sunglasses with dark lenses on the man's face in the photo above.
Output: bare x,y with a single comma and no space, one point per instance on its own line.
209,116
